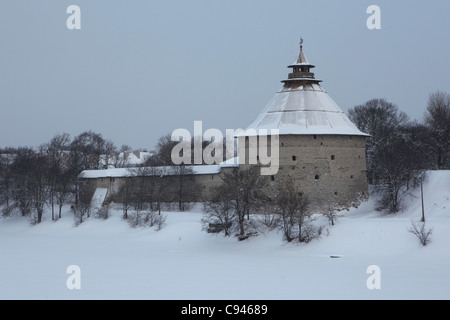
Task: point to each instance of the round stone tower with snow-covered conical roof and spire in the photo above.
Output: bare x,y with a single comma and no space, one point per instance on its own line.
319,147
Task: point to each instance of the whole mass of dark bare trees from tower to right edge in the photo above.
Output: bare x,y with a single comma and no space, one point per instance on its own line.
399,151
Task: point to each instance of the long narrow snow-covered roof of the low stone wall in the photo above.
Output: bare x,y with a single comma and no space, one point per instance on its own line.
156,171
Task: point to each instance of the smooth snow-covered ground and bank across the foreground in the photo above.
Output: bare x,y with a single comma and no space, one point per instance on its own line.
183,262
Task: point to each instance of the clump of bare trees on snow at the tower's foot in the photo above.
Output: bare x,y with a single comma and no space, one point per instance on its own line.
243,206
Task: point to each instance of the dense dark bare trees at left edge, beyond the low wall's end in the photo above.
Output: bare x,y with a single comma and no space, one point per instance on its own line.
31,178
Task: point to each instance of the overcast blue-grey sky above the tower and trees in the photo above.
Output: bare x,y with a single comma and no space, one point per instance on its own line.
140,69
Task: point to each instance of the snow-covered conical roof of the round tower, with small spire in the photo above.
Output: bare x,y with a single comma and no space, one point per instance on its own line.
303,107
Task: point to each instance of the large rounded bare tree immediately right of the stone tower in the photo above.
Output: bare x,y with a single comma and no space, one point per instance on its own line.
396,150
